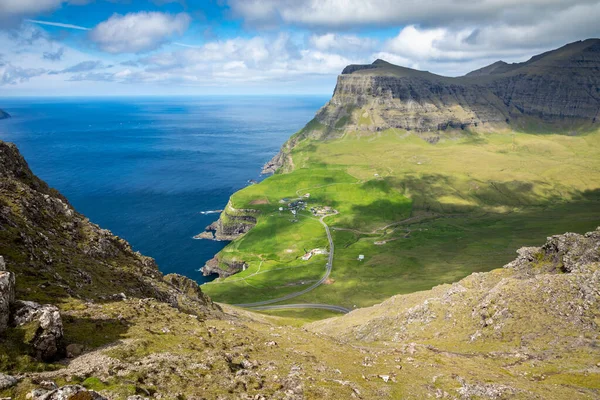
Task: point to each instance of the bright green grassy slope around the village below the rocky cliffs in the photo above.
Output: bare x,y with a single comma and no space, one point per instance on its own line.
472,199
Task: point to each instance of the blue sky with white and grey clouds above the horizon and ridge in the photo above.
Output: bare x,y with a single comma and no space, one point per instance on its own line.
163,47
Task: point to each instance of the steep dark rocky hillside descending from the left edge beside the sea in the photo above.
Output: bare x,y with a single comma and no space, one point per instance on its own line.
57,254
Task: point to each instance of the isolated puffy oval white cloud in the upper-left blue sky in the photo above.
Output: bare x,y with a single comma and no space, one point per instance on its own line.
138,32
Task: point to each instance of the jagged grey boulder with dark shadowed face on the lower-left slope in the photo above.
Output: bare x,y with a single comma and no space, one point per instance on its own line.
47,340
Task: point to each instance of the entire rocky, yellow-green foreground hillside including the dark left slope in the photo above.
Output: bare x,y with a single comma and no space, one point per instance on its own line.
112,327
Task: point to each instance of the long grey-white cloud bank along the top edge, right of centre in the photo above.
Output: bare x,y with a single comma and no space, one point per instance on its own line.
352,13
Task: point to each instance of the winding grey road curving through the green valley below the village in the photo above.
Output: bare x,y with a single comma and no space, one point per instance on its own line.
265,305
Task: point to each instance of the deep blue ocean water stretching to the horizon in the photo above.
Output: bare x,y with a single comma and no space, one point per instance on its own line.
146,167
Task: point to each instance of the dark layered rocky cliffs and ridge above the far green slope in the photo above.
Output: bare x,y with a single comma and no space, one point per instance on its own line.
558,91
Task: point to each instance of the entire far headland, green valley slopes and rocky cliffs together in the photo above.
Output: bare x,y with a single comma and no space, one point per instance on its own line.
432,178
